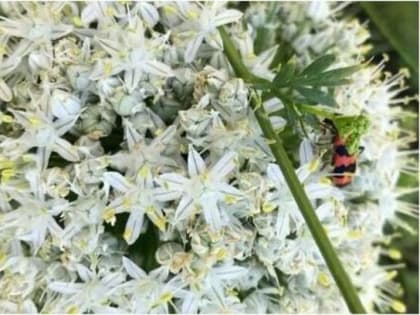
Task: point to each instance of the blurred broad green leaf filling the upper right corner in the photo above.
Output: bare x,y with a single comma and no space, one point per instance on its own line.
399,24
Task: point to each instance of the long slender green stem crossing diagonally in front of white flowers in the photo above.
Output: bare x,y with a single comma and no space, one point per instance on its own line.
340,276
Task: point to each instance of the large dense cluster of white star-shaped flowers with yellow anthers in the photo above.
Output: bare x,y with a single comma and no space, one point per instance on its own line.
134,177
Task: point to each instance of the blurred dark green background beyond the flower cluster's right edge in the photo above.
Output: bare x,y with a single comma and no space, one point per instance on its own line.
394,28
